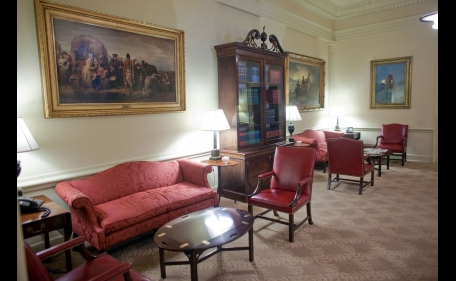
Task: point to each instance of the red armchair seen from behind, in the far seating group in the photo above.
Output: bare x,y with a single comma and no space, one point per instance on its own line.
346,157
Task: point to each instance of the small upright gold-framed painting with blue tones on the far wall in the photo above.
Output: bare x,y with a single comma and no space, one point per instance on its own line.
391,83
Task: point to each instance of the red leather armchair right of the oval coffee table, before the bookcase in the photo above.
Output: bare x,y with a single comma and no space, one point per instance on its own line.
290,186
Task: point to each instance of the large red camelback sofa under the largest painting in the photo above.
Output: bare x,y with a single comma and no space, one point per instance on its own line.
134,198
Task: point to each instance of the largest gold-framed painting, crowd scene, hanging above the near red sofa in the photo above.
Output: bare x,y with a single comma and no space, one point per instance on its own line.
93,64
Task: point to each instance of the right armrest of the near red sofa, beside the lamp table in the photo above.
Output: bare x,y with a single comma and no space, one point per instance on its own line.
195,172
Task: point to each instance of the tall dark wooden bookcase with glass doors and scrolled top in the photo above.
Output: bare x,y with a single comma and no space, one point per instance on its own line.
251,88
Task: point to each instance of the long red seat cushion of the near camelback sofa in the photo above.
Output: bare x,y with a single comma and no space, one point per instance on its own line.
135,208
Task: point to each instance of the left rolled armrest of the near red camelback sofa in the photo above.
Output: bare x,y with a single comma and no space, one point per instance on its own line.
84,210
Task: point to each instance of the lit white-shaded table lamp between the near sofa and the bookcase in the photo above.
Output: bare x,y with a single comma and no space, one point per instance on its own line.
215,120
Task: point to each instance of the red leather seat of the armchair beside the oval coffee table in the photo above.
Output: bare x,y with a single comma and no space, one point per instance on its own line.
278,200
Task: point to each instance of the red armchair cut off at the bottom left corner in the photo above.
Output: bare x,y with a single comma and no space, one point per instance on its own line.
101,267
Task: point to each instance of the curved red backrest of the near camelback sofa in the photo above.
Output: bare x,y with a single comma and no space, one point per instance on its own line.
128,178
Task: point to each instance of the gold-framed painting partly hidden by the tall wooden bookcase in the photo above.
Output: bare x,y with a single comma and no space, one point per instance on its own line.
305,82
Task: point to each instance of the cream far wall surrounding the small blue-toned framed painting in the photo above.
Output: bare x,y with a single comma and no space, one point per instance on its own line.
351,81
